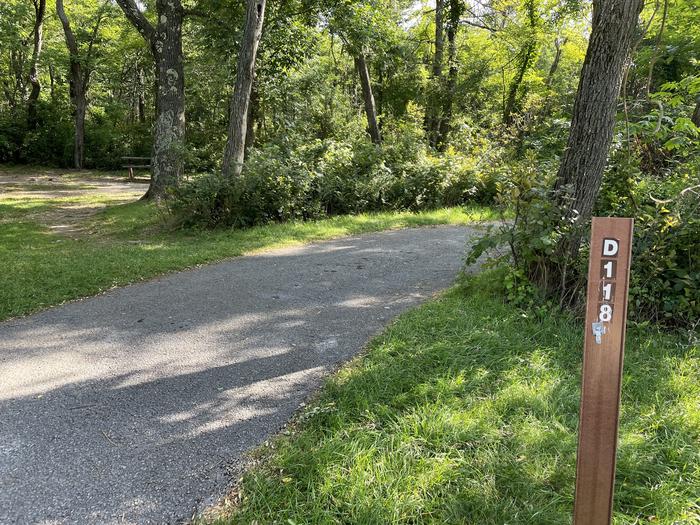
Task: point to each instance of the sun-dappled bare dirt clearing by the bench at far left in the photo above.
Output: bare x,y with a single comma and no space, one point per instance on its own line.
64,199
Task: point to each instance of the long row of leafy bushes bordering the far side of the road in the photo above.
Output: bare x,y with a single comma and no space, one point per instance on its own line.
327,177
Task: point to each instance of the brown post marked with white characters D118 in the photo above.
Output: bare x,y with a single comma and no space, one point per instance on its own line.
604,344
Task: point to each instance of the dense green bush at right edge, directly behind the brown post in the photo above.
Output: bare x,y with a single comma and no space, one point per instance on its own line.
656,180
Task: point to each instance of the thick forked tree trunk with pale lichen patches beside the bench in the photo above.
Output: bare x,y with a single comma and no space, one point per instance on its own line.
165,42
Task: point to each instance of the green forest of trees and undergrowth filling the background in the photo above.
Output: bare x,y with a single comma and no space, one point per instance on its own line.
372,105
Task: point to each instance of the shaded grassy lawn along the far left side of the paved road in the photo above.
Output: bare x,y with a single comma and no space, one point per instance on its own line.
66,245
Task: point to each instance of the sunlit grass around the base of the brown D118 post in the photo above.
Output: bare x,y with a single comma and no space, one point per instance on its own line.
465,411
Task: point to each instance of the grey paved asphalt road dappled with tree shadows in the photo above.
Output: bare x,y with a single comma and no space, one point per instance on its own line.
137,406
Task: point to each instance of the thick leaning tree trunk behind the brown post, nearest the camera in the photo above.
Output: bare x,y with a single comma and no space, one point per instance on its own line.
595,108
